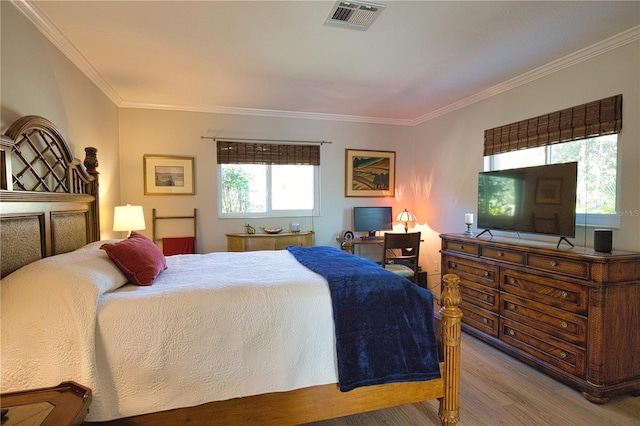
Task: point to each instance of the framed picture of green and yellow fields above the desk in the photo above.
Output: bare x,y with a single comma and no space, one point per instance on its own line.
370,173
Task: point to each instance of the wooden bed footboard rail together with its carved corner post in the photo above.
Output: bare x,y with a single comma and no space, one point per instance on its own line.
323,402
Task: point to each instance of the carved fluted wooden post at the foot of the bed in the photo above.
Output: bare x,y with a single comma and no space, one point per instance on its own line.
451,320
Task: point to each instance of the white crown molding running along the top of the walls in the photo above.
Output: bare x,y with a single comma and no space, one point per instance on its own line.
53,33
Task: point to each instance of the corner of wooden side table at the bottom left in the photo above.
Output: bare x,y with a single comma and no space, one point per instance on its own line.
65,404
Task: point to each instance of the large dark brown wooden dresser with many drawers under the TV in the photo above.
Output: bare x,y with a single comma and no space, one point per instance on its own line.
573,313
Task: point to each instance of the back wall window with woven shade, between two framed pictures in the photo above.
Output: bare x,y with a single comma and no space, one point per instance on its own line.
267,180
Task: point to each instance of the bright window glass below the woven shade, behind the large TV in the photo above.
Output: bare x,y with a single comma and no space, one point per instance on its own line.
596,198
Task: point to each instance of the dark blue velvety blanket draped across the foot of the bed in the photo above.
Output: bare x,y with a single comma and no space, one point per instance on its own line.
383,322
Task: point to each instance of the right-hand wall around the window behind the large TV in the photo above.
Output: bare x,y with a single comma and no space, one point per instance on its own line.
450,148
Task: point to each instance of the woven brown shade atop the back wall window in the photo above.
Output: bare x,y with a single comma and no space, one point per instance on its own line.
230,152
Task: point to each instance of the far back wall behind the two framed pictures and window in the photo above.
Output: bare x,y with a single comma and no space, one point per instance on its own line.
179,133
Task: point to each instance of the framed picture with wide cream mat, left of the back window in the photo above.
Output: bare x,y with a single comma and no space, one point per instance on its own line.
165,175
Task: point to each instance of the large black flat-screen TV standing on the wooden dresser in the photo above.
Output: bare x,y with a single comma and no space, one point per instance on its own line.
537,200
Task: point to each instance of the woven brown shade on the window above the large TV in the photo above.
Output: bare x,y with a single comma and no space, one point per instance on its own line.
597,118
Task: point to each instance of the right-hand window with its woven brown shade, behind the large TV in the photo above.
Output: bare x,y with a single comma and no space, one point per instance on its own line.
586,133
